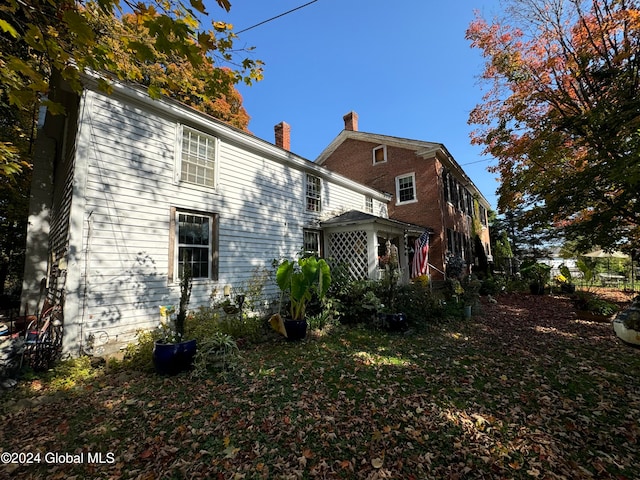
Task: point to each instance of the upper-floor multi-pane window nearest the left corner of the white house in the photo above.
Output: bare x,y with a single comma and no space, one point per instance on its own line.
198,158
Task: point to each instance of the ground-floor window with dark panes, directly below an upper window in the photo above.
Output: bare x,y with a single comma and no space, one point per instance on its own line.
193,243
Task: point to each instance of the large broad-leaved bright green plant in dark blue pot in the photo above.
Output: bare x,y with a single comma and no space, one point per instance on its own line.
301,280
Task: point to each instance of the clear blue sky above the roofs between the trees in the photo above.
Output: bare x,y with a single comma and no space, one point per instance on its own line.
404,67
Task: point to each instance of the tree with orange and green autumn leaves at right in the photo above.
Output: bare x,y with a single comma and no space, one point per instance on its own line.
562,114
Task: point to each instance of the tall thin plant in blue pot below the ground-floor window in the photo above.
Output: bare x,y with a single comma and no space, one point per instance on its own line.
173,354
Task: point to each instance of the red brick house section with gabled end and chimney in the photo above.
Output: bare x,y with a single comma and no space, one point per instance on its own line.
444,197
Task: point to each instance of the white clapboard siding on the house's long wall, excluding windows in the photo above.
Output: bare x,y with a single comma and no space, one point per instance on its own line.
124,189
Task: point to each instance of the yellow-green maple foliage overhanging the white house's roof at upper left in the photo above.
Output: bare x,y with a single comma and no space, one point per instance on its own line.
41,37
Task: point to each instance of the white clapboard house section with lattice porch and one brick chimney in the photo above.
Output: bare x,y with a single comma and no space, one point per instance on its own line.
125,185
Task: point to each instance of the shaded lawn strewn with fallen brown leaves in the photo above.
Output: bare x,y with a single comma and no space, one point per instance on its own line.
524,390
